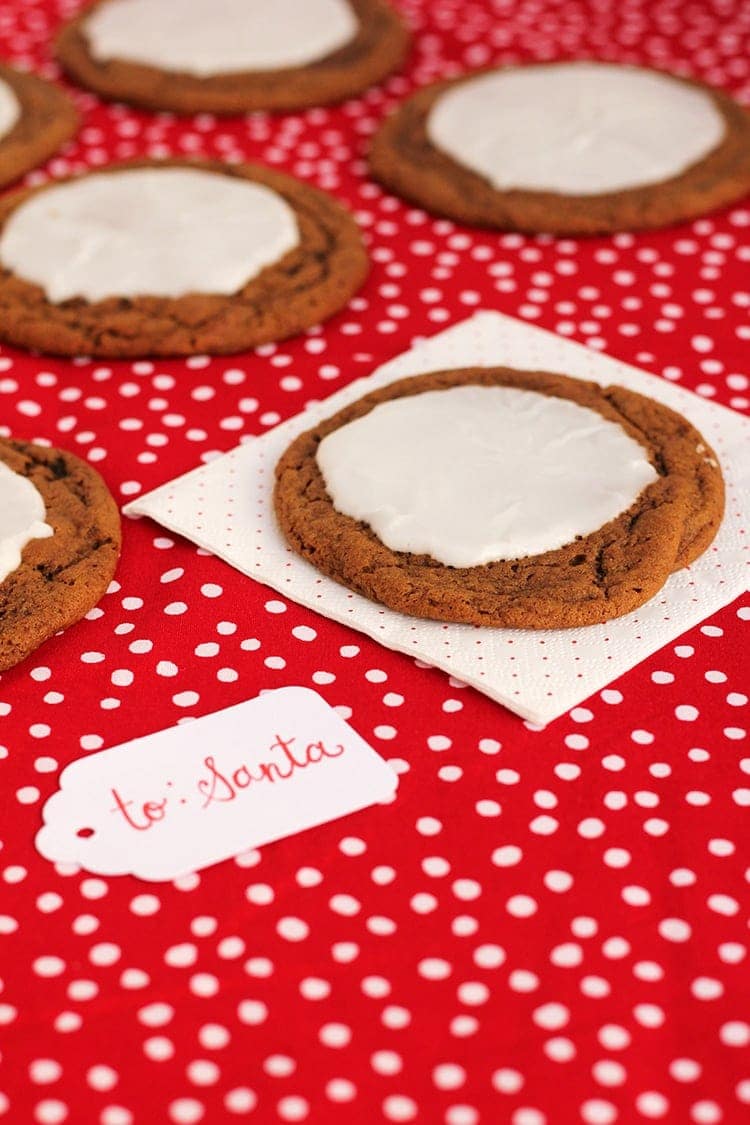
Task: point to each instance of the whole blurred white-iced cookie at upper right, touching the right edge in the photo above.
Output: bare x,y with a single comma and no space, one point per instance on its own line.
576,148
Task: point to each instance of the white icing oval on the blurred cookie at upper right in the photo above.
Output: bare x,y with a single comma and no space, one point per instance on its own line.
577,129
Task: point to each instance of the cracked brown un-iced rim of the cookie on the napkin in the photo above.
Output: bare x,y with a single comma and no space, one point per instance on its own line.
592,580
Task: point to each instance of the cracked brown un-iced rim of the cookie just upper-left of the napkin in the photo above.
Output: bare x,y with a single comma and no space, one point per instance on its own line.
305,287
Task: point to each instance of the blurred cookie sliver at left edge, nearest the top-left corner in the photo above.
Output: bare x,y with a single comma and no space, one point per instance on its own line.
37,119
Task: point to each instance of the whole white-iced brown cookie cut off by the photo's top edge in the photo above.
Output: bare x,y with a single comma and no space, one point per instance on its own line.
232,57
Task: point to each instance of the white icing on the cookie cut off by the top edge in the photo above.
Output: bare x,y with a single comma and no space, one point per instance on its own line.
206,38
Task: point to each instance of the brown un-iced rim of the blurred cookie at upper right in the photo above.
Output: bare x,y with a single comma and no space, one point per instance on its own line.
406,161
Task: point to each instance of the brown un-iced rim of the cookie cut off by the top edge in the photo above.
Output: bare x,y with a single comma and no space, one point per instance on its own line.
378,49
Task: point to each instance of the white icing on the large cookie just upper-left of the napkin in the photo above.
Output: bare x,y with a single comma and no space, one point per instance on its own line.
161,232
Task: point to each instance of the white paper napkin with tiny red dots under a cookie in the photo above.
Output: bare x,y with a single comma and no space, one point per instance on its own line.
227,507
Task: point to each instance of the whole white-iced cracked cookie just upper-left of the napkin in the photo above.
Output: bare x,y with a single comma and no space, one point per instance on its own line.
173,259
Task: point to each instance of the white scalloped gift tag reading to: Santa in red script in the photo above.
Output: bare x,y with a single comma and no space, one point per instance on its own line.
186,798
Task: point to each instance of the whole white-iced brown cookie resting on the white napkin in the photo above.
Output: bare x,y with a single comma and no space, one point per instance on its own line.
498,498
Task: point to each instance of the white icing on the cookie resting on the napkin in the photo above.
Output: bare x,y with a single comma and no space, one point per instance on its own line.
474,474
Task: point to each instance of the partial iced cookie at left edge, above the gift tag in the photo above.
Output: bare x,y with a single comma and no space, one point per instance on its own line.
64,565
